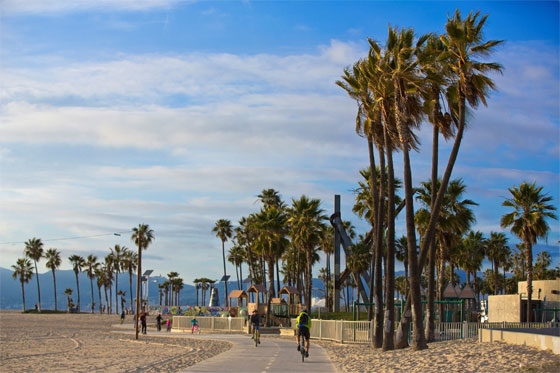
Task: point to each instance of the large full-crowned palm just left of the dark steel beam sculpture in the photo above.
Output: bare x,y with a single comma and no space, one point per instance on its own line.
306,224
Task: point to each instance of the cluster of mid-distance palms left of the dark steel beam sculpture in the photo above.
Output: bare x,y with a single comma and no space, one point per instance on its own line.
277,233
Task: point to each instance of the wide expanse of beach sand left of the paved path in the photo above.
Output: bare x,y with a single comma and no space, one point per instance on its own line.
86,343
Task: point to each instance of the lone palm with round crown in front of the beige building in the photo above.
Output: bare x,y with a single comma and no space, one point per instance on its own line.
528,222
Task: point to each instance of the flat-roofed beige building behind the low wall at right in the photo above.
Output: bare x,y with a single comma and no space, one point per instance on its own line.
513,307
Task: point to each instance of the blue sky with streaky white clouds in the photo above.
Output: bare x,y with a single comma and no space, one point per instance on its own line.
176,114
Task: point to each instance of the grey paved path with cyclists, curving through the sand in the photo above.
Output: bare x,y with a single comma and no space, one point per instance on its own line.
272,355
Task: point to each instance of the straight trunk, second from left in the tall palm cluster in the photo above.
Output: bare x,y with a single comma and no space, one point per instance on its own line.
389,330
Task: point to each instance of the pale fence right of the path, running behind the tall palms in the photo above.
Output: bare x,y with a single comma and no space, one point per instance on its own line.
362,331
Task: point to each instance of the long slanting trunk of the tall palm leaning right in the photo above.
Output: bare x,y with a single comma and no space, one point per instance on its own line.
405,321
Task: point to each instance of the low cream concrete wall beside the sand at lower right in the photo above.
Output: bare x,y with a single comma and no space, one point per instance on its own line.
540,341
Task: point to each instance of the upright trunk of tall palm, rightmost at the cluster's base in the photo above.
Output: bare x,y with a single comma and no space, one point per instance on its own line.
430,309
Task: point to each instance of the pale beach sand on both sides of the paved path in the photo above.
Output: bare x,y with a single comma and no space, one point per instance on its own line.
85,343
